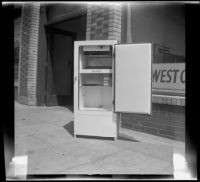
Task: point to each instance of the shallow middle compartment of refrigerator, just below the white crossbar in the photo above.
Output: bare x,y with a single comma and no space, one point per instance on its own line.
96,79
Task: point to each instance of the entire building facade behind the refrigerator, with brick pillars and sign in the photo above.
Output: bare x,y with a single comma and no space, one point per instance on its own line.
45,33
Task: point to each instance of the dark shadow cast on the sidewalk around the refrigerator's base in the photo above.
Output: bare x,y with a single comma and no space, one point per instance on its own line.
69,127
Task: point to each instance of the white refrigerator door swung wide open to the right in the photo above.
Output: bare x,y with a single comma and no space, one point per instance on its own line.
133,75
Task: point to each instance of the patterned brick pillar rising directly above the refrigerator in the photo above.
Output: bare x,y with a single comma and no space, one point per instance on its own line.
103,22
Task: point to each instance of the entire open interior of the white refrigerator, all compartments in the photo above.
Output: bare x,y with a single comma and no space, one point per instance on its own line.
95,89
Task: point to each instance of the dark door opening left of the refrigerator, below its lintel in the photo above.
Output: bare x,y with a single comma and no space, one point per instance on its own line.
59,87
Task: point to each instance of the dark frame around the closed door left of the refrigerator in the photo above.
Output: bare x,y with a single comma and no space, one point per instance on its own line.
50,31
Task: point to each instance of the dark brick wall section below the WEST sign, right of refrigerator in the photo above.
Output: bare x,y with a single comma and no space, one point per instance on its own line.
166,121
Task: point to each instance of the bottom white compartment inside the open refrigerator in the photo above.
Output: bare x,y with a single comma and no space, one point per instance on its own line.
95,98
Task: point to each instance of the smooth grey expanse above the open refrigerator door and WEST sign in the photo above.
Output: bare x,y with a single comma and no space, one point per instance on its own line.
161,24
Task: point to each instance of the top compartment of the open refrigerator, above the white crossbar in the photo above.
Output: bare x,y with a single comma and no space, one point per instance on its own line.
94,58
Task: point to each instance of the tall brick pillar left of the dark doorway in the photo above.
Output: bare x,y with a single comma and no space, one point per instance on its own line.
28,53
